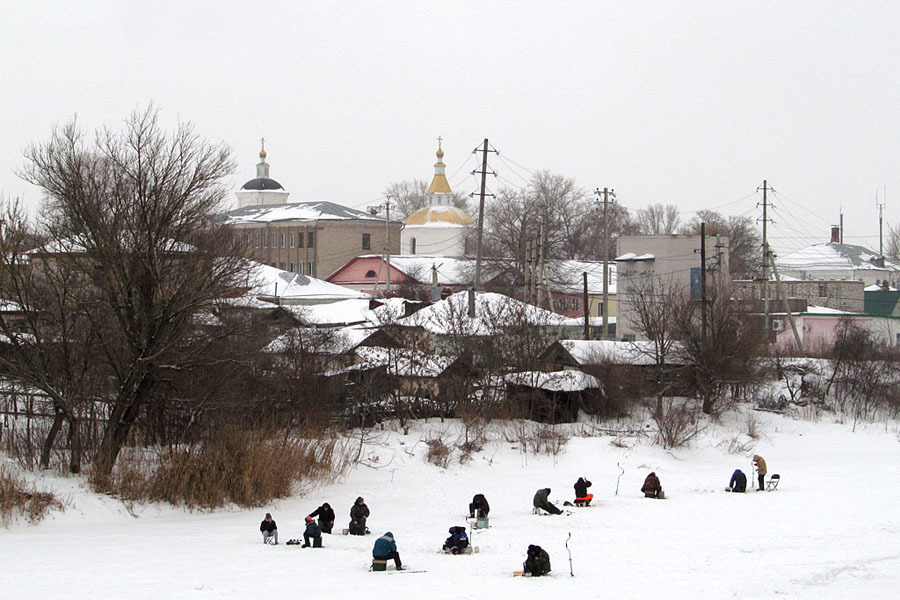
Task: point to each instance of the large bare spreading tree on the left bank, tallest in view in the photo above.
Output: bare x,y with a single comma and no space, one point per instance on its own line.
131,214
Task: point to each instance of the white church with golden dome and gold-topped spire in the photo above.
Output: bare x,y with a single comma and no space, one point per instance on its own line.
439,228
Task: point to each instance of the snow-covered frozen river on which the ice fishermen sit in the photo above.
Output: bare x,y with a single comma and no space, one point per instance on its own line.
830,531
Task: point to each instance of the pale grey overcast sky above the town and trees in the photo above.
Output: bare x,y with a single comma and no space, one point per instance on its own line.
688,103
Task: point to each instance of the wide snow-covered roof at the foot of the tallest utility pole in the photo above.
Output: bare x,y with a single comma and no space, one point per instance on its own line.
492,312
